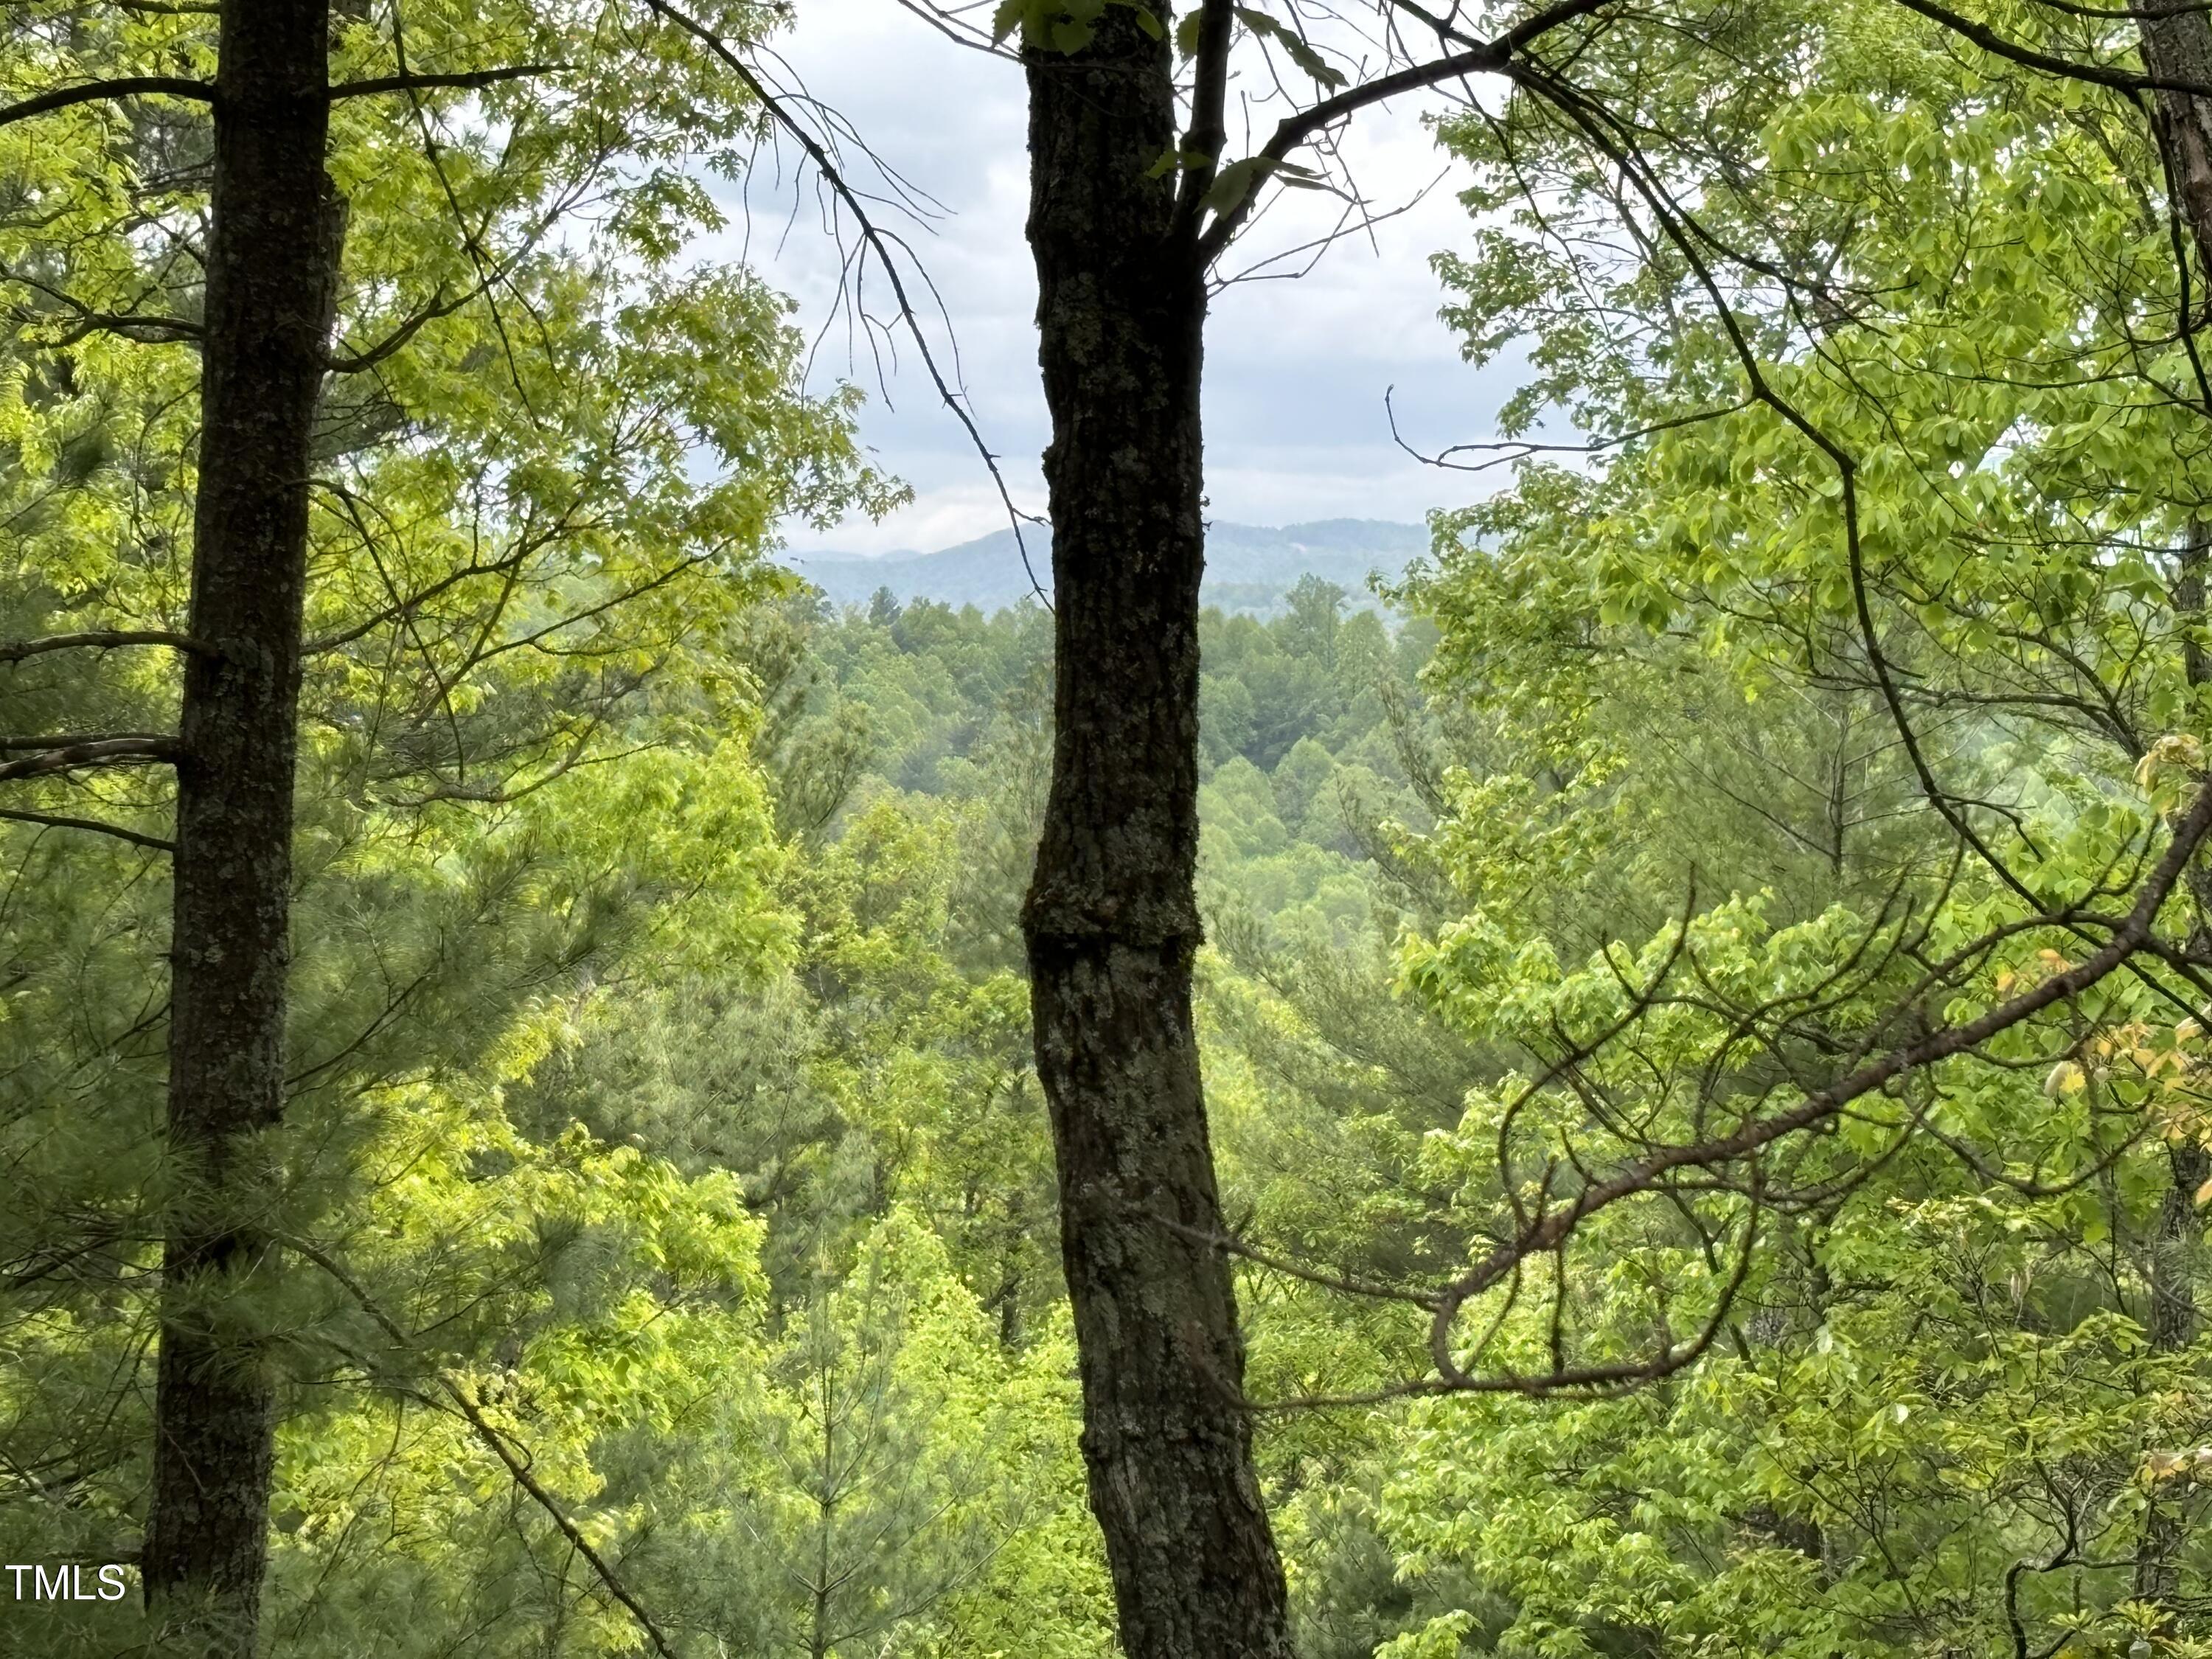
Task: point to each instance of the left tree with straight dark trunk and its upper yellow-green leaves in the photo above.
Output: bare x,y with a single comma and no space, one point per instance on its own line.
543,565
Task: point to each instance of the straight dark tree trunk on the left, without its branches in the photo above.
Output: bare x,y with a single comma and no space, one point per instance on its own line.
273,255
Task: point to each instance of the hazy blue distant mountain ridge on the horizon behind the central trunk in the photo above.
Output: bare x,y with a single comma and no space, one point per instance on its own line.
1246,567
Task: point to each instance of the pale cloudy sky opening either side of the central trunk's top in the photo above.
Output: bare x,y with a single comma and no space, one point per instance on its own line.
1297,371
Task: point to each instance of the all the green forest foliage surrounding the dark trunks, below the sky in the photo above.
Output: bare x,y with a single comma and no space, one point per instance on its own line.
665,1123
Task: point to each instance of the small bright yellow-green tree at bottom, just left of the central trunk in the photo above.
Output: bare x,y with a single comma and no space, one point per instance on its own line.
884,1470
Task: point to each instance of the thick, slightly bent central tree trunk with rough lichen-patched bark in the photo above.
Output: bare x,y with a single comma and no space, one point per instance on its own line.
1112,915
